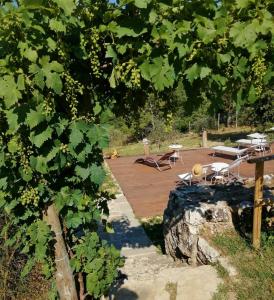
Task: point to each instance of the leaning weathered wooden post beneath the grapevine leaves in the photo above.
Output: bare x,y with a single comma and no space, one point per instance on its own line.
64,277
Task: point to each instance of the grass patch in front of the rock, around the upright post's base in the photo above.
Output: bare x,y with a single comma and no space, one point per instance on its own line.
255,280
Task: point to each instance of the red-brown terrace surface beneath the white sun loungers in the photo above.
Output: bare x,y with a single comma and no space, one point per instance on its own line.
147,189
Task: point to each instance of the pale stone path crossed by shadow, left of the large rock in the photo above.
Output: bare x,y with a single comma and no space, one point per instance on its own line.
149,275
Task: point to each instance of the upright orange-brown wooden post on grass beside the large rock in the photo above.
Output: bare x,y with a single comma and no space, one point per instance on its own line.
258,199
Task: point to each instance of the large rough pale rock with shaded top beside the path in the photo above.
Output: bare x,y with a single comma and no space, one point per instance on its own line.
195,212
